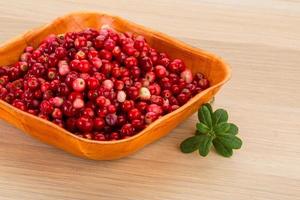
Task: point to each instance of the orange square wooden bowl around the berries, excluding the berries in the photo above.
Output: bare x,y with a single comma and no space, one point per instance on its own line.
197,60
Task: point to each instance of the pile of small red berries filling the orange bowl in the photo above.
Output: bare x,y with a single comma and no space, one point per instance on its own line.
98,84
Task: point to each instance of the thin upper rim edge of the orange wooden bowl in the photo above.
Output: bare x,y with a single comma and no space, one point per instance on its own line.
164,36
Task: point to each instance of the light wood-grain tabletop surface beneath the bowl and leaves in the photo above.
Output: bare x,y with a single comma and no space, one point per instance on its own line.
260,40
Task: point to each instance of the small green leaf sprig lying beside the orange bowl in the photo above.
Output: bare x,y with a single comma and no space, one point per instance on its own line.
213,130
